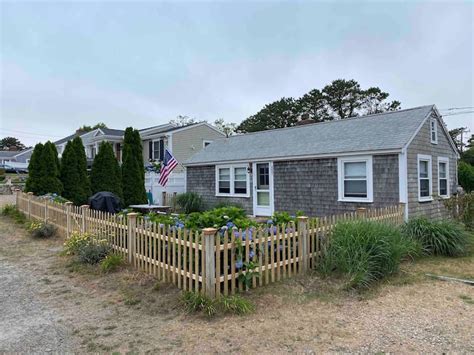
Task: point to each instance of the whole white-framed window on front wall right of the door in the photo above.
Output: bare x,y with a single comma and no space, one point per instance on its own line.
355,179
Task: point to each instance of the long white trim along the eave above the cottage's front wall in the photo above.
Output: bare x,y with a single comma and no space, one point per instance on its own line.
300,157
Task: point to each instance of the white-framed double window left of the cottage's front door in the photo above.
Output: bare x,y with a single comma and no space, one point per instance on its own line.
232,180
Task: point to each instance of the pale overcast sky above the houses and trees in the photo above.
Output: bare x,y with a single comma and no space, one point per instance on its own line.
142,63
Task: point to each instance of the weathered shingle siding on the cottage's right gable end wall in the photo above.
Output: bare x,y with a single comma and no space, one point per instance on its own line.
421,144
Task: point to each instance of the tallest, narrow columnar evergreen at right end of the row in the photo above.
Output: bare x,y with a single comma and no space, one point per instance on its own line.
133,170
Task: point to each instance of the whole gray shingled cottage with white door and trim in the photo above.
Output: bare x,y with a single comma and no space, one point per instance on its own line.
326,168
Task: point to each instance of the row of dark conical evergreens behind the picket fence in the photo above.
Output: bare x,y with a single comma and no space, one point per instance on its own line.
68,176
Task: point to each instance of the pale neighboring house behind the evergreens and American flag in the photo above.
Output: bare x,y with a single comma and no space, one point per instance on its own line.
183,142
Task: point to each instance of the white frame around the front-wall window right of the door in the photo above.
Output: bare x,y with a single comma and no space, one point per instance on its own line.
367,159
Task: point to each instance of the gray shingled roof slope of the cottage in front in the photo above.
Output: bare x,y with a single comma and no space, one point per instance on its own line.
385,131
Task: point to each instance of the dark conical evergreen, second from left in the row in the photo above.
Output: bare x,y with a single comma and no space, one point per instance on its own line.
49,170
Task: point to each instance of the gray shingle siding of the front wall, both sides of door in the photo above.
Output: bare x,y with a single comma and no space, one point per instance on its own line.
306,185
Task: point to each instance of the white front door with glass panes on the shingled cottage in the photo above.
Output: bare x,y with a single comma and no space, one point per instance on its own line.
262,189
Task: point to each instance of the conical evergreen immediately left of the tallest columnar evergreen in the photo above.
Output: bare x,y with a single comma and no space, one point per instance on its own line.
106,174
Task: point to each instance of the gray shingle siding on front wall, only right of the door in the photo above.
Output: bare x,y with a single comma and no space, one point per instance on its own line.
312,186
